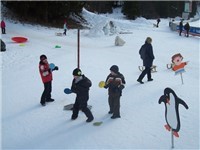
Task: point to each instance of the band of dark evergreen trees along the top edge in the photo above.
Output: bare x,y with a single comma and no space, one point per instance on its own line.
54,12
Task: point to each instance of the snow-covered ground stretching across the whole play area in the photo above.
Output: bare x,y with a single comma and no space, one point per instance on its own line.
27,125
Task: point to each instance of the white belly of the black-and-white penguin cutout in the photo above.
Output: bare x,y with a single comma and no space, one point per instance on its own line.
172,116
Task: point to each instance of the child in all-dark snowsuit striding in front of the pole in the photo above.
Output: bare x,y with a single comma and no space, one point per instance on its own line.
81,85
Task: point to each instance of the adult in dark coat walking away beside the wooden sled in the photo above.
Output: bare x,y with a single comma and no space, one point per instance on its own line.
146,54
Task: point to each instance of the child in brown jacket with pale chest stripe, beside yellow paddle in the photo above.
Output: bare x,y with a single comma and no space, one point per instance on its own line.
115,82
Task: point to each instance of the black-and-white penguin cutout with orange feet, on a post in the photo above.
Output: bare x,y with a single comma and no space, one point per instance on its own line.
172,102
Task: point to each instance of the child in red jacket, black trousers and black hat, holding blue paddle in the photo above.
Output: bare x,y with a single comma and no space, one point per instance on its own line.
46,75
